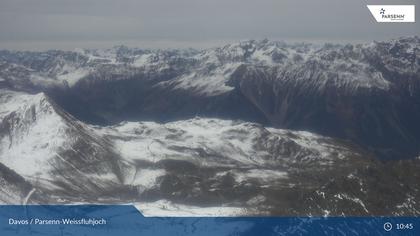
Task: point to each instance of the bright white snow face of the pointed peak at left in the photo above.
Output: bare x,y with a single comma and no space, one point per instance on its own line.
25,149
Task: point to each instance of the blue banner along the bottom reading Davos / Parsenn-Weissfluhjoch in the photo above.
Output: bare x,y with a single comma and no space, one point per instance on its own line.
121,220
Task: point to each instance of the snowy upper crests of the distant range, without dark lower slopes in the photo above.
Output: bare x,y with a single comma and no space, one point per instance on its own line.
350,67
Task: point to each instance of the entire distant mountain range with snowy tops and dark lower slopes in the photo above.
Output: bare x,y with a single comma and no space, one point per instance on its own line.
335,90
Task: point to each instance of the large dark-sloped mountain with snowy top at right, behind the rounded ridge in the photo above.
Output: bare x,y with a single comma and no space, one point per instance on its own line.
366,93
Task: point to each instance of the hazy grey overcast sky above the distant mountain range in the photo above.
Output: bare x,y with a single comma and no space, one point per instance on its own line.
67,24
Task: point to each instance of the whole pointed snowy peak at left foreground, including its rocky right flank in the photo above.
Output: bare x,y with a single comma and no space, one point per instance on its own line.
53,151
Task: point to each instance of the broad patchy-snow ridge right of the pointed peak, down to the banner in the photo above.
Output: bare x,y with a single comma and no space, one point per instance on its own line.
210,163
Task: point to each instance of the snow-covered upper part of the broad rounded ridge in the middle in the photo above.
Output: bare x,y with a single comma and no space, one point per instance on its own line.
225,142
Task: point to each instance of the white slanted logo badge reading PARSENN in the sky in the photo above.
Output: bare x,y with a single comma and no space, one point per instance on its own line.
393,13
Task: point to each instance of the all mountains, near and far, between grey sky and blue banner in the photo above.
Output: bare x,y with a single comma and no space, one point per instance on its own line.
256,127
